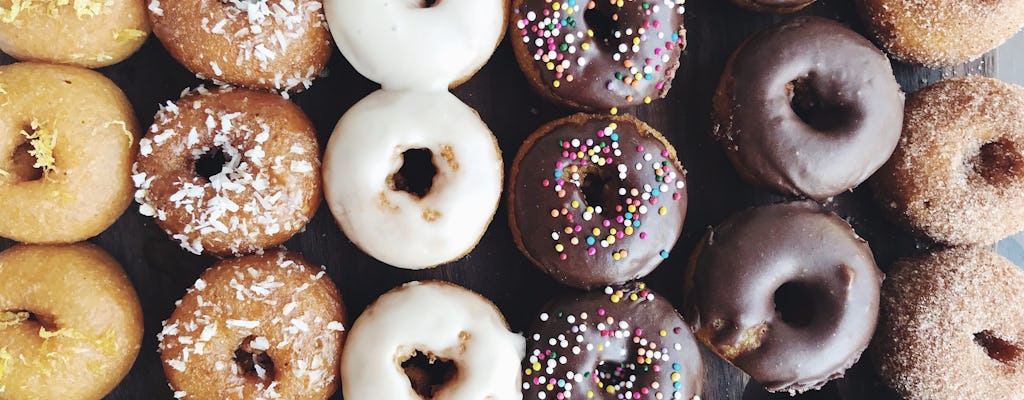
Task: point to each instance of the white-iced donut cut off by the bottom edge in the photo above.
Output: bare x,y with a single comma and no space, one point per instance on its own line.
443,323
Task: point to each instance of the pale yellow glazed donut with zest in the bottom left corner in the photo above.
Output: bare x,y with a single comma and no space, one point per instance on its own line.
71,324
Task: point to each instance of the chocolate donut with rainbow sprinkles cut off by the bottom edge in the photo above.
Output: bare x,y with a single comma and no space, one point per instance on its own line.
626,343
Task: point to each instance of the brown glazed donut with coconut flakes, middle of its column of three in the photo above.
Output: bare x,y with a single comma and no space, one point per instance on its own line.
261,185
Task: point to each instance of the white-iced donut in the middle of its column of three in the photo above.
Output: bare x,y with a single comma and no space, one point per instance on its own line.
418,191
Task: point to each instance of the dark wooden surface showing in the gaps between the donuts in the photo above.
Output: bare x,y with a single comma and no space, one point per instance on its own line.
162,272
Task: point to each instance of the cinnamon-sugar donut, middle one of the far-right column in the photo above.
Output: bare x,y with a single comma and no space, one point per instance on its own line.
958,174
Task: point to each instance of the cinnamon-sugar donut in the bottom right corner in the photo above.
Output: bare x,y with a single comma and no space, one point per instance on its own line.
951,327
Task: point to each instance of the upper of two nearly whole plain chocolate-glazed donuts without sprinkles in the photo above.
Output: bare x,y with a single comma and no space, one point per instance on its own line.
808,108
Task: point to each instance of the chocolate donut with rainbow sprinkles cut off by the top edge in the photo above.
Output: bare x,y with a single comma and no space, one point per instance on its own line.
599,55
